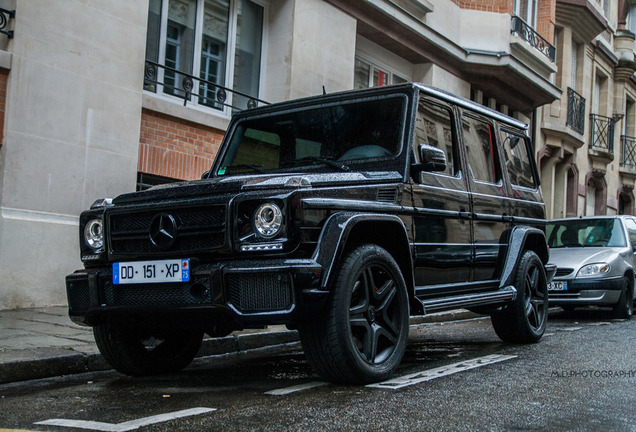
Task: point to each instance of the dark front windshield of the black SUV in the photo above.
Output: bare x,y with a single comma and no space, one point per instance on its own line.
318,138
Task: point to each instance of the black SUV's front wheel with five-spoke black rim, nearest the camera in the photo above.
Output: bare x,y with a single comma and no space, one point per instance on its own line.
361,335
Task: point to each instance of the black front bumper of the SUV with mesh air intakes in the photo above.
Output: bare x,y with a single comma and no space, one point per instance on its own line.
242,293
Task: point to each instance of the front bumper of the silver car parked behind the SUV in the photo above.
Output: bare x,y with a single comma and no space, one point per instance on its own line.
584,292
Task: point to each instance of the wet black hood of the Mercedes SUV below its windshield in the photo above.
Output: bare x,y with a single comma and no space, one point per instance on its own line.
234,184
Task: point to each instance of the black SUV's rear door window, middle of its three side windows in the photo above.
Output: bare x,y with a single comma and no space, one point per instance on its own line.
479,139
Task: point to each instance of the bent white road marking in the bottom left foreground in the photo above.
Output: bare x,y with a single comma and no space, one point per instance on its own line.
125,426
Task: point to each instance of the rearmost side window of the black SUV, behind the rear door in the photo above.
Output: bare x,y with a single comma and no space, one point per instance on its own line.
517,159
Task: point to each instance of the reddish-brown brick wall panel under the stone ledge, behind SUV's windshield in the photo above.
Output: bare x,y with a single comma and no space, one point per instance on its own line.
175,148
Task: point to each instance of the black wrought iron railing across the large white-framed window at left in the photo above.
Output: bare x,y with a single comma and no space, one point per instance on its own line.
161,78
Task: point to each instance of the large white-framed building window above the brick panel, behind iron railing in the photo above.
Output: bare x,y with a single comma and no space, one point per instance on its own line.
206,52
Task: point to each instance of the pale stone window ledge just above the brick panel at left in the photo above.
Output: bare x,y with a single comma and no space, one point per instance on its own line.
176,109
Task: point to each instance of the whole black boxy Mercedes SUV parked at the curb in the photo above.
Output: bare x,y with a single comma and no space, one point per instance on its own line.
340,216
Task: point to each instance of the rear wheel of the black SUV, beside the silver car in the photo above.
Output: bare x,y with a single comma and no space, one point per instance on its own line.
524,320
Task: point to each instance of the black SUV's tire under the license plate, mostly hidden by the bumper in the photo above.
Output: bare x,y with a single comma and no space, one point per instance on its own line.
143,353
